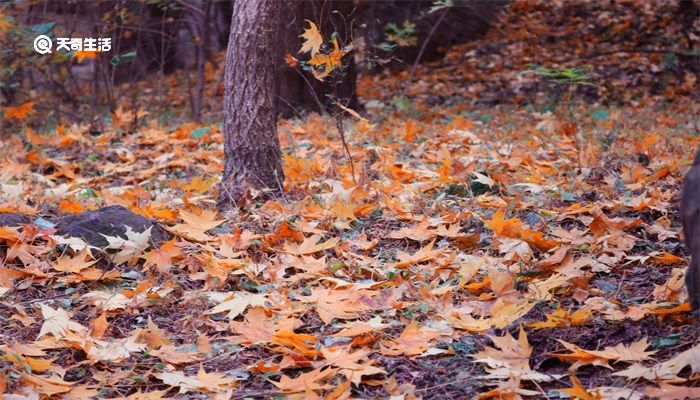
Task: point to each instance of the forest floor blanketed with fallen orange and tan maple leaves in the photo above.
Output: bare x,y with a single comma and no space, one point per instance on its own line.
478,244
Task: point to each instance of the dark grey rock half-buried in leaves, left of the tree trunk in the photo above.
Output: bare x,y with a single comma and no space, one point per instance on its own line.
108,221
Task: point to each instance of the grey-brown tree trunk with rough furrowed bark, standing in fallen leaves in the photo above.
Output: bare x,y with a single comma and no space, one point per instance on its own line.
251,146
